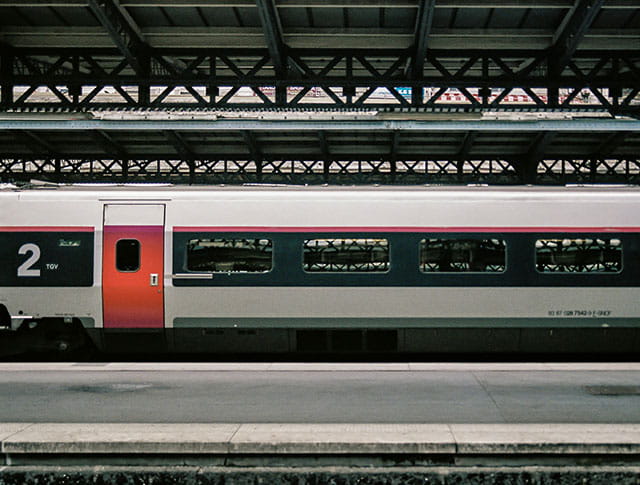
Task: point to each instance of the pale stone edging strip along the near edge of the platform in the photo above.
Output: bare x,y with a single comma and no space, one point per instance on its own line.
283,438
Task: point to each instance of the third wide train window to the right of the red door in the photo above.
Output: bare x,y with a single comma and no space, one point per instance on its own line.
462,255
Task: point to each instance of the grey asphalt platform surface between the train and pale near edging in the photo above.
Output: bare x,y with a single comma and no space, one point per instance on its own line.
319,393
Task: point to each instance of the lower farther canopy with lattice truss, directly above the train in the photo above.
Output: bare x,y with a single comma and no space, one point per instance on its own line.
307,152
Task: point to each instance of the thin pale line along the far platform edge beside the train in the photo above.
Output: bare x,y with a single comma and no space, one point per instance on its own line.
315,367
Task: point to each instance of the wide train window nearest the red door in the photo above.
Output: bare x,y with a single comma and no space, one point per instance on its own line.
230,255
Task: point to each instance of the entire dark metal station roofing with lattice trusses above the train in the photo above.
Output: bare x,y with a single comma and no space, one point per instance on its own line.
405,58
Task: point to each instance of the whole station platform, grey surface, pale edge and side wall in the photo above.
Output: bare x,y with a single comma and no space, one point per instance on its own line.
316,423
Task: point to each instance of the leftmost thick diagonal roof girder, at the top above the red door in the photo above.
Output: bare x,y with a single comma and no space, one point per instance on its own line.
123,31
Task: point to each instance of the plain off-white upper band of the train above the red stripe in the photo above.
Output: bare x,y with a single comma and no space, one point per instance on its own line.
333,206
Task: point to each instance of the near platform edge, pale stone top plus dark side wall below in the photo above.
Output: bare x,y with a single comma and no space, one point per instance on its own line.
297,453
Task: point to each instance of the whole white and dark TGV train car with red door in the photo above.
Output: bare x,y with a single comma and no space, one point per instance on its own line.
325,269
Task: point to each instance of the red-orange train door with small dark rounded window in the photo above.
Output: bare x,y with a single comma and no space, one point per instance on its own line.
130,300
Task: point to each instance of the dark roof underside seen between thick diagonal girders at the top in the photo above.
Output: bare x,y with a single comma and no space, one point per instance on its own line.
320,24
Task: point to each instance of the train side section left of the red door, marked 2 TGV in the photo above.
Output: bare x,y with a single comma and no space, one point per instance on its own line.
49,264
